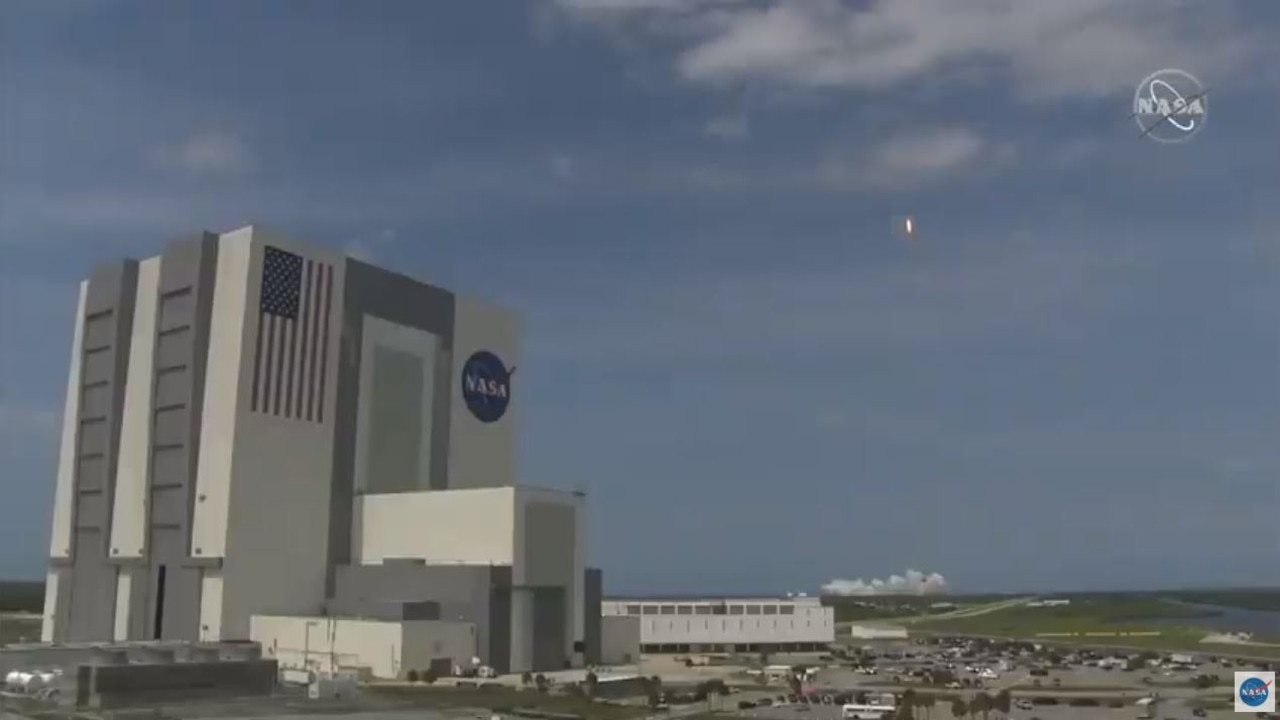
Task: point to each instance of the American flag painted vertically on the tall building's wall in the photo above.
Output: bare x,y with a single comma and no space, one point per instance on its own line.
291,366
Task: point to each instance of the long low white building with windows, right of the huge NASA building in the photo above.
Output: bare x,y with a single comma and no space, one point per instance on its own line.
726,626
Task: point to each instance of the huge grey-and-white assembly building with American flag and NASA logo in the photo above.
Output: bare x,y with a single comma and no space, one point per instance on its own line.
266,440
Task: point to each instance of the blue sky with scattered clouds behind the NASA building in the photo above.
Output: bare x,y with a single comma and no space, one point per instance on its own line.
1072,380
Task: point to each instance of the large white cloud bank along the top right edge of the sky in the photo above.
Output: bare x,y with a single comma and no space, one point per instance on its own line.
1052,49
